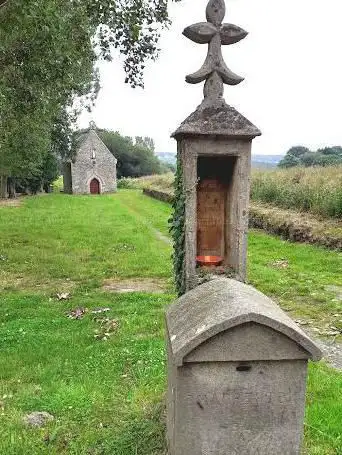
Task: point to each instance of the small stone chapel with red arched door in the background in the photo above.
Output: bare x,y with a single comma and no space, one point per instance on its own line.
93,169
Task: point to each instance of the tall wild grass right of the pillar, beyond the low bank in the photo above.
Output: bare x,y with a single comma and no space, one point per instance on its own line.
317,190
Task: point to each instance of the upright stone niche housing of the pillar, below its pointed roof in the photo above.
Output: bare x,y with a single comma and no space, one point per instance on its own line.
216,180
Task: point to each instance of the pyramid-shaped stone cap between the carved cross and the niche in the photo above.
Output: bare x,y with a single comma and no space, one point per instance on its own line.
217,119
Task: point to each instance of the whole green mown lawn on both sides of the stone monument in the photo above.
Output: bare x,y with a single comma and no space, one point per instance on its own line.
107,396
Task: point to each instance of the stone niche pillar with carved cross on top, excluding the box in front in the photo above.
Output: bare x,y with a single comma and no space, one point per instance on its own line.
214,156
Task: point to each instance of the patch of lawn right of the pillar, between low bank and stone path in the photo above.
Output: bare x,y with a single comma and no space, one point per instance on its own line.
300,287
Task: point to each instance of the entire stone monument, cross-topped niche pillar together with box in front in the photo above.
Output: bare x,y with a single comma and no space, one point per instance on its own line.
237,363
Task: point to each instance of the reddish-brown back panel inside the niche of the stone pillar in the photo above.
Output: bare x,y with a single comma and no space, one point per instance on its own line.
211,202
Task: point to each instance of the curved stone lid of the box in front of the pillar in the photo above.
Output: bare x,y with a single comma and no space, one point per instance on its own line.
221,305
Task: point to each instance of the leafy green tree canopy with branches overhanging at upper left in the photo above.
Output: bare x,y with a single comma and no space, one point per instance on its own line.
48,55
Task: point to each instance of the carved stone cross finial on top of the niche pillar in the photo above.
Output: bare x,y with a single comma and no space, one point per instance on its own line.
214,70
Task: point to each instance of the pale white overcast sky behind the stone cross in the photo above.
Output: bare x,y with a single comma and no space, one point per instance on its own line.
291,61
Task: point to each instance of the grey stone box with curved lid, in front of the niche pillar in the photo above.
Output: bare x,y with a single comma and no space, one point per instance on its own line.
237,373
